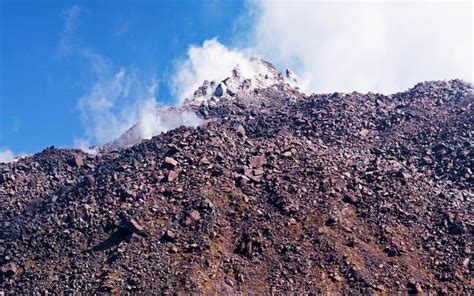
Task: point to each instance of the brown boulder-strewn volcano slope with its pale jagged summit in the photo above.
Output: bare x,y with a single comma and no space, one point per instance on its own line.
276,192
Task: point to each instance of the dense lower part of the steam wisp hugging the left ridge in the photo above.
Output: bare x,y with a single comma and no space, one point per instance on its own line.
118,100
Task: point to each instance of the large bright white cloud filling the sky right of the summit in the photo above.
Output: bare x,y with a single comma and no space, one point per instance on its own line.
384,47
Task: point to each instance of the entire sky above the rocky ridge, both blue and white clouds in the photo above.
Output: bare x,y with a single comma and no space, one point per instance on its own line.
78,73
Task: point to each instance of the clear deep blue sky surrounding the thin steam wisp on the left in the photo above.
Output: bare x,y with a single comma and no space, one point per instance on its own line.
44,69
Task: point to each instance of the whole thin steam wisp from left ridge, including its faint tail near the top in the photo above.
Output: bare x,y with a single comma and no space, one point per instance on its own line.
118,98
